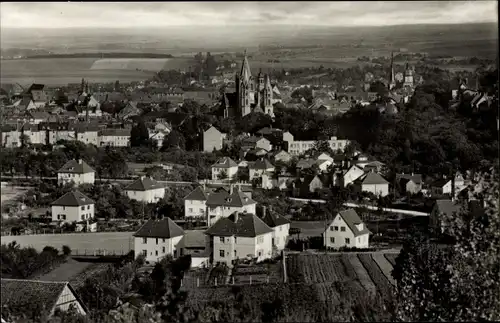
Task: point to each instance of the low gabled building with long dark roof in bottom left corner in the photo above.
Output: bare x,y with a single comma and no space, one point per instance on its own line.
21,294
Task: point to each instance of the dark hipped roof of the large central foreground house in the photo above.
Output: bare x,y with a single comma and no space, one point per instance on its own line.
242,225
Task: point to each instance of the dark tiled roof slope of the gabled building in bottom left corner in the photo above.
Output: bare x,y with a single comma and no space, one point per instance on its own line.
18,294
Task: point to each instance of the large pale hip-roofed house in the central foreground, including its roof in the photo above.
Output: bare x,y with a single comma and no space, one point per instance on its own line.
240,236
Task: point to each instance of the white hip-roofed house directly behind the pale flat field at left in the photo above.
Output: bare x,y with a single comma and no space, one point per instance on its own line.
73,207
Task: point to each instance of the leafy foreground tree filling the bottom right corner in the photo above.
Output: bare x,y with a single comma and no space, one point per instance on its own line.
458,282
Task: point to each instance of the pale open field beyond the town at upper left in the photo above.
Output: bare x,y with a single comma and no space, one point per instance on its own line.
61,71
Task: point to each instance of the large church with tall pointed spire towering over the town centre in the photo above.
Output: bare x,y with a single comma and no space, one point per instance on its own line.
253,94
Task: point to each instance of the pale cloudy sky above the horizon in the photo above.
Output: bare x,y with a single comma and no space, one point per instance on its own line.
226,13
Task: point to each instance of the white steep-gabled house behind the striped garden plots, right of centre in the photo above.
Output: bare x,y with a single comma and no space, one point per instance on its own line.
346,230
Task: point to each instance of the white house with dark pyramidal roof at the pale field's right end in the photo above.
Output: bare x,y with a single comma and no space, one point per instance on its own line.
158,238
